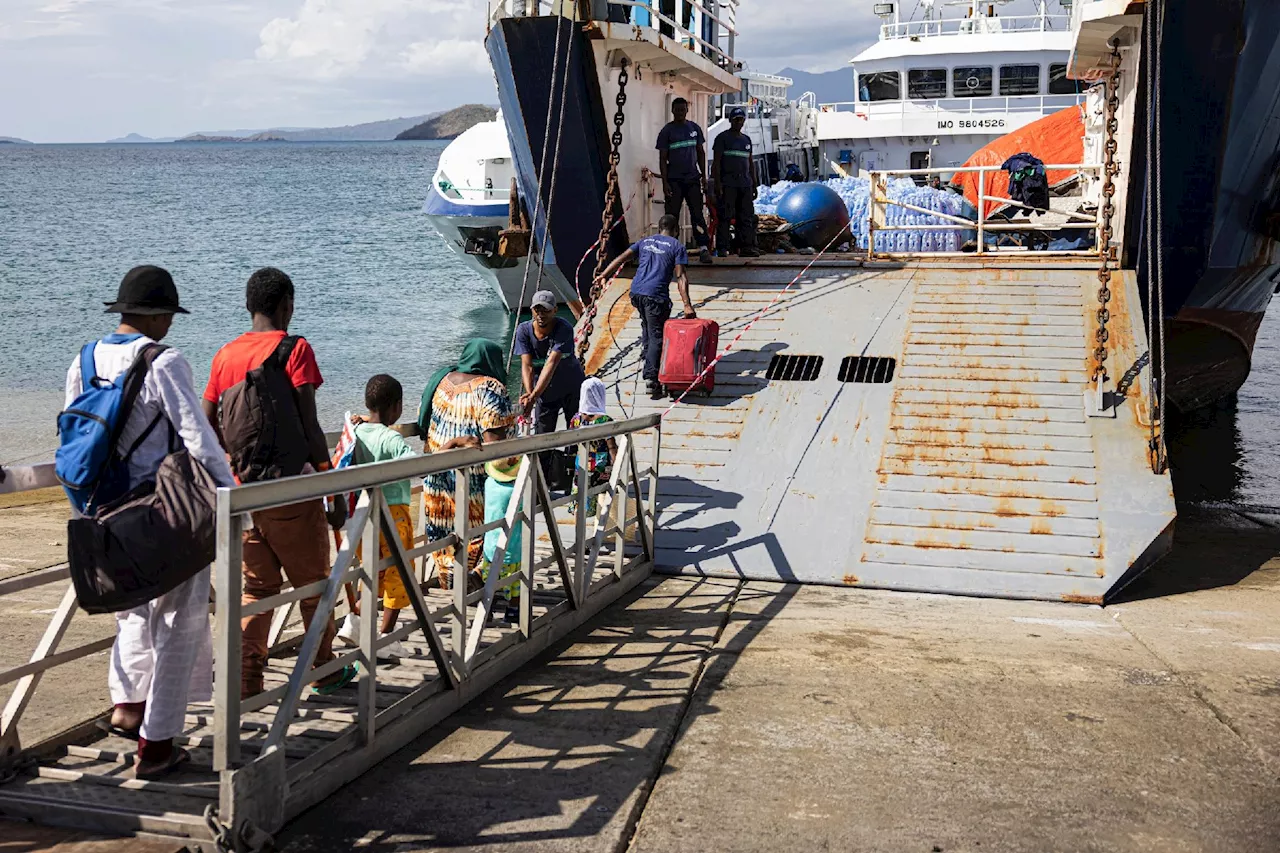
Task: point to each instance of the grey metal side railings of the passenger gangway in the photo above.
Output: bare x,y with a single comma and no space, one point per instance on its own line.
578,573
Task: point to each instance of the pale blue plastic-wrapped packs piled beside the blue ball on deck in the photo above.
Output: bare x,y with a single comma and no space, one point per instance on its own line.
857,195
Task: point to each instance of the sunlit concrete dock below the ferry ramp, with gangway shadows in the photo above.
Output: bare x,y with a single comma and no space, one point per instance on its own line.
753,717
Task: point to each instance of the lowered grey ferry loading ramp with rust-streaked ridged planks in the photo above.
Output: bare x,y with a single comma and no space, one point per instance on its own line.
918,426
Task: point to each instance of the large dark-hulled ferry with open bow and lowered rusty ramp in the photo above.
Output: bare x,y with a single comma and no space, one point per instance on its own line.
986,423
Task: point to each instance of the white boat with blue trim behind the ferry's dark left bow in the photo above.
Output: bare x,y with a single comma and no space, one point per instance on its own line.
469,204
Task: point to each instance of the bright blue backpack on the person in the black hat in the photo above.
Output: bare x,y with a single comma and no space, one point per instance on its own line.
89,463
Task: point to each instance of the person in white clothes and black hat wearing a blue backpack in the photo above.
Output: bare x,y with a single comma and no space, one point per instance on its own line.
163,654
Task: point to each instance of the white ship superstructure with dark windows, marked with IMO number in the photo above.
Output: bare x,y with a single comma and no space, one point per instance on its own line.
932,92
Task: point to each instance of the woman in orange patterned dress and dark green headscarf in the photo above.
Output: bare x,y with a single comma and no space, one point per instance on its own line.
465,405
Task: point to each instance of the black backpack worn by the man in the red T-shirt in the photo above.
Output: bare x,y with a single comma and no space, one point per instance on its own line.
260,421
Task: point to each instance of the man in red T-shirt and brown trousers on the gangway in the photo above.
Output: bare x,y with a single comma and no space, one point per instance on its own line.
291,539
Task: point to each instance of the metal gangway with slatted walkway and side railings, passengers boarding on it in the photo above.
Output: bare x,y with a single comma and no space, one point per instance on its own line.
260,761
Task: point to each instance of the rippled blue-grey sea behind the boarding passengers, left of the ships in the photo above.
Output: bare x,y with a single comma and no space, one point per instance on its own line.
378,290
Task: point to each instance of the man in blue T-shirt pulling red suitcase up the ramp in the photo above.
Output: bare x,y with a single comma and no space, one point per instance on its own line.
660,259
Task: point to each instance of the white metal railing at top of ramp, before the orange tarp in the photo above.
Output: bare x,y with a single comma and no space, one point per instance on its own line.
986,234
